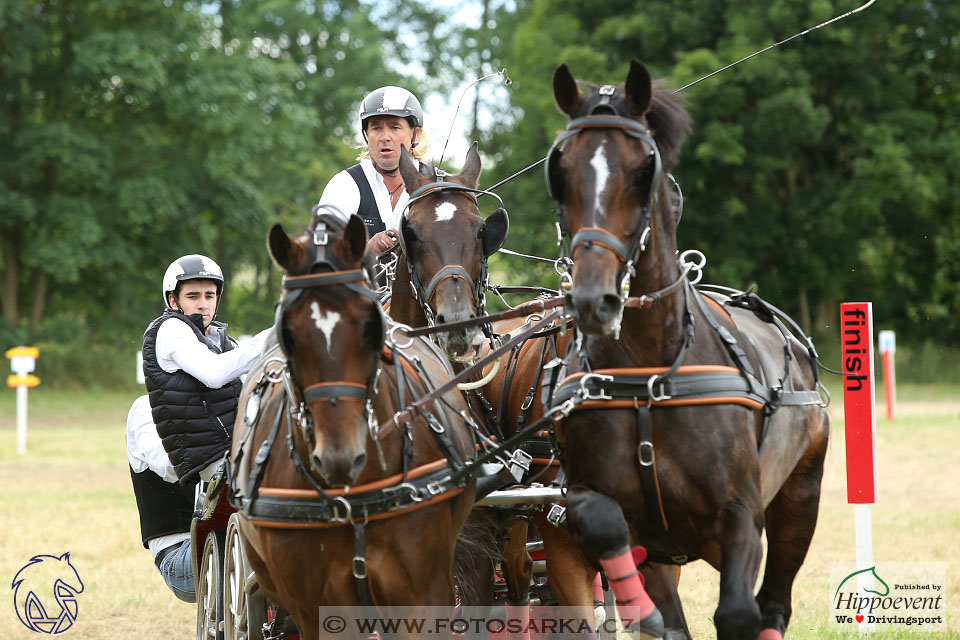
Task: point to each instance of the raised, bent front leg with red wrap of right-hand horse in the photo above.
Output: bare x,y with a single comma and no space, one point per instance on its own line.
601,531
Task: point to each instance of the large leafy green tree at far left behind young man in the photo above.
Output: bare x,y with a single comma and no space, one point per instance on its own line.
131,133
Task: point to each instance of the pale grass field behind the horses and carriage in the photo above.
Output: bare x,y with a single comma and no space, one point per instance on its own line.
72,492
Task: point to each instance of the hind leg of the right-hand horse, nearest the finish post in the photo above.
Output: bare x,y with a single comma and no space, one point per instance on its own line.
790,521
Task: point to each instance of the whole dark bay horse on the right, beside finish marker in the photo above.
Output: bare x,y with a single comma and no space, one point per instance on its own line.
701,425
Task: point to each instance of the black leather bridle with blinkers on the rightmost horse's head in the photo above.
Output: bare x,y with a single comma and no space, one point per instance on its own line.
626,252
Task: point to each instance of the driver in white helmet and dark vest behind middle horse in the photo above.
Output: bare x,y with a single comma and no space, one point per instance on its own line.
390,118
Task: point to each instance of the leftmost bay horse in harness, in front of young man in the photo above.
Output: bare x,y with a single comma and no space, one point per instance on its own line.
332,515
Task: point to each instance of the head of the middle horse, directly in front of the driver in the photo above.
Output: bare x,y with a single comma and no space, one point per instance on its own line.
446,243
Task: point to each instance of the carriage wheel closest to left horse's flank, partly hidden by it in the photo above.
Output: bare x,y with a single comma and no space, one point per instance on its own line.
244,614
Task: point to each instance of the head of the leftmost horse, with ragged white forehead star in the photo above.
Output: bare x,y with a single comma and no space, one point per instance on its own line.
331,329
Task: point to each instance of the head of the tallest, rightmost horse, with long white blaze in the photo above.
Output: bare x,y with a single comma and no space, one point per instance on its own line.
606,171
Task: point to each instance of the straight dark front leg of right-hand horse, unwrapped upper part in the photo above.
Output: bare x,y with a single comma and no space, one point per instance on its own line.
737,616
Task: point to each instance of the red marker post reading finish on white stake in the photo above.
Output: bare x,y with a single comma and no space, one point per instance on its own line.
856,339
